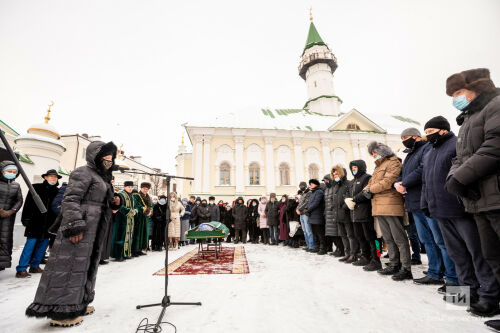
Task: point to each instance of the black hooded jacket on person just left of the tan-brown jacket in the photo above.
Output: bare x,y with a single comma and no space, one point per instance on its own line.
363,210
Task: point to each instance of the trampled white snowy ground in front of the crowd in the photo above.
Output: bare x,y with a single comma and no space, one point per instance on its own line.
287,290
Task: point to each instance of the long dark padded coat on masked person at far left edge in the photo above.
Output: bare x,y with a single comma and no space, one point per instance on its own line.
10,199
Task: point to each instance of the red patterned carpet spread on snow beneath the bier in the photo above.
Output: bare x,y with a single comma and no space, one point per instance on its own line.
231,260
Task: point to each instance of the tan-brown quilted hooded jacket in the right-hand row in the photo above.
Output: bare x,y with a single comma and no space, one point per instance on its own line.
386,201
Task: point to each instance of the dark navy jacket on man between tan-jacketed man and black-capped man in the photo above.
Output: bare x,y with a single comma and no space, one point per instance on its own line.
411,175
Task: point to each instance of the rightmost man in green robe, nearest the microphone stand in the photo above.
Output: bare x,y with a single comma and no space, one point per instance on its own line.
142,203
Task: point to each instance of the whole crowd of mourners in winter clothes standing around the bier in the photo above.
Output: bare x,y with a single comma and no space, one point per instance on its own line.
444,198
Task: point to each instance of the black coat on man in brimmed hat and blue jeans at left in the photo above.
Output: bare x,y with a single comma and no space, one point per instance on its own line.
37,224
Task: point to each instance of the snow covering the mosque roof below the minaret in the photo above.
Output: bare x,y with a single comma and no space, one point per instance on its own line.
295,119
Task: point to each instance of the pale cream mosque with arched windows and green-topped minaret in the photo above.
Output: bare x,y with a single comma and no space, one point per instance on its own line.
251,153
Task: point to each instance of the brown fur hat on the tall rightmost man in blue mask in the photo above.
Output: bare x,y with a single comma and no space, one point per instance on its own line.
477,80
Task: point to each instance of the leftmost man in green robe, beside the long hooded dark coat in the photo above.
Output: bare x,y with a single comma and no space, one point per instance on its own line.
123,227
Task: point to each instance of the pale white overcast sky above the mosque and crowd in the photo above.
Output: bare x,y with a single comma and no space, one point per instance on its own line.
133,71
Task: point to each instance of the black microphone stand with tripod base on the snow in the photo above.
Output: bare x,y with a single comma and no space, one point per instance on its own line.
165,303
